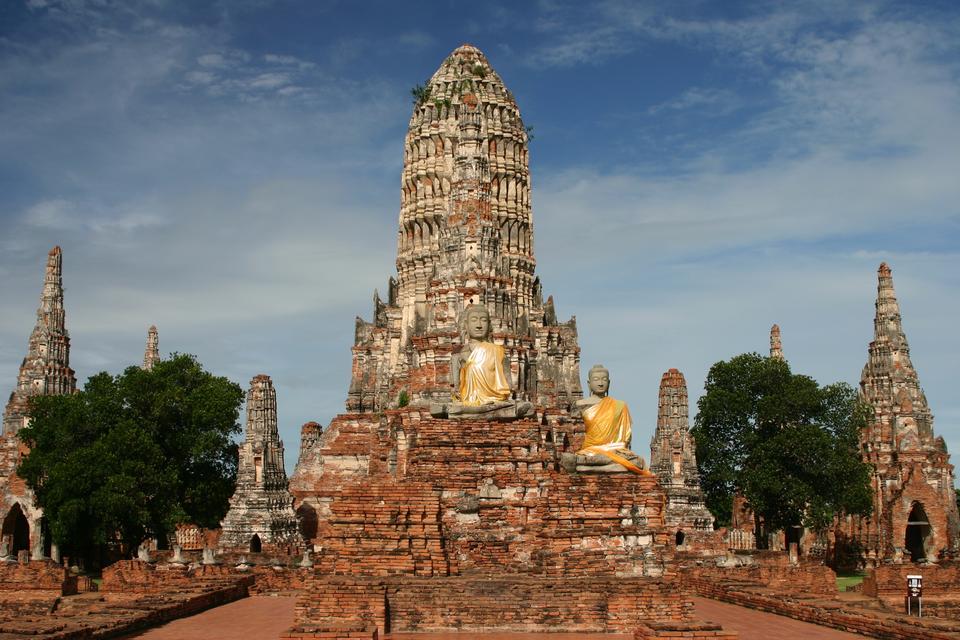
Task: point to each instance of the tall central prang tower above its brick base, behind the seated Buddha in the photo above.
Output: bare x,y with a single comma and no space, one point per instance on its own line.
466,237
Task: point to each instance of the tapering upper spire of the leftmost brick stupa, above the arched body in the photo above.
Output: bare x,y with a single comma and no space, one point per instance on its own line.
46,369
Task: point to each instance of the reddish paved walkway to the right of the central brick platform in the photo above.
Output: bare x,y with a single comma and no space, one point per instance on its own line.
760,625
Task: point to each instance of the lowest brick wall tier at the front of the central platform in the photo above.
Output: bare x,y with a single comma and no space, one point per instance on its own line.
433,604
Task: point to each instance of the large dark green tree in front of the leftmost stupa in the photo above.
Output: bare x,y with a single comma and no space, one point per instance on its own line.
131,456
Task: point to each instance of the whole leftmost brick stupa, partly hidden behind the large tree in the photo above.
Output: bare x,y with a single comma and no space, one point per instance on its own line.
44,371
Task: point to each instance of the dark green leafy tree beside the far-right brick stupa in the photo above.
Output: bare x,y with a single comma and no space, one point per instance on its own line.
789,446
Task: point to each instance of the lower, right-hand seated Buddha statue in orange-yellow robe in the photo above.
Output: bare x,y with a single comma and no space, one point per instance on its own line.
606,446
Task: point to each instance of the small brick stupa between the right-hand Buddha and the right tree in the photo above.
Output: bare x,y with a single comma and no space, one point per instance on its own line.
673,458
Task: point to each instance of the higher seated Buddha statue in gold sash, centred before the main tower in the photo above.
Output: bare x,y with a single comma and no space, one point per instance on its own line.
479,374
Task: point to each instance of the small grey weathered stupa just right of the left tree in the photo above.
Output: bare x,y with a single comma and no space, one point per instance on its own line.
261,516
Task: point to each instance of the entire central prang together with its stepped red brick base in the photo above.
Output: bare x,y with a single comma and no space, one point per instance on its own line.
422,522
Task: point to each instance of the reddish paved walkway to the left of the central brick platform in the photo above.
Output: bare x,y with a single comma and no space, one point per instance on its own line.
256,618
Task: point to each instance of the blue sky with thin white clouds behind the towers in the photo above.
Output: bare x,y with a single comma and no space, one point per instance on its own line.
230,172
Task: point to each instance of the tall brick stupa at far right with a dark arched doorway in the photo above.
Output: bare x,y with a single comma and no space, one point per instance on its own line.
914,508
